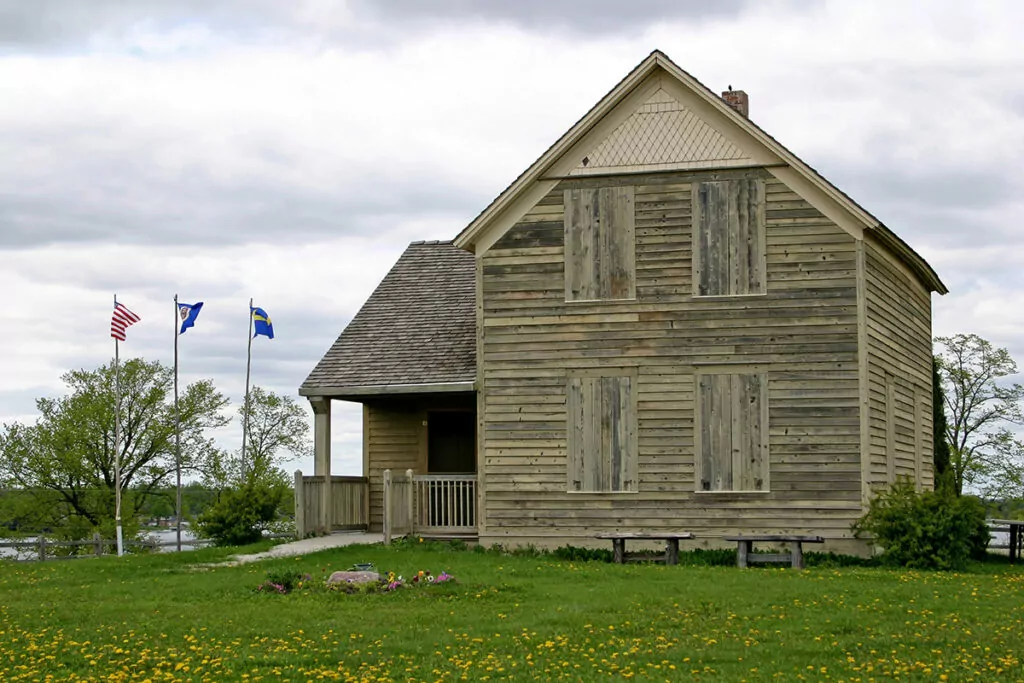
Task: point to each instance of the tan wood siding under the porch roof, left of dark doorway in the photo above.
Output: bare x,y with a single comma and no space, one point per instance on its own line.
396,436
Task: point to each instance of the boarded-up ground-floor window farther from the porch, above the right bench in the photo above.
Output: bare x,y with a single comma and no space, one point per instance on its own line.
733,435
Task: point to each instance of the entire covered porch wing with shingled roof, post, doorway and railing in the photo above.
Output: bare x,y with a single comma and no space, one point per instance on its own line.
409,357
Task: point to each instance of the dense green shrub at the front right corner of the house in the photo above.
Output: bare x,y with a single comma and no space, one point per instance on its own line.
929,530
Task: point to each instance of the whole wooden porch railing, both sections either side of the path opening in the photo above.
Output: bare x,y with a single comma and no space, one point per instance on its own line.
432,506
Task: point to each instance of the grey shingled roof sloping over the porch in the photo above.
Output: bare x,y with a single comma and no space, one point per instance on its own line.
418,327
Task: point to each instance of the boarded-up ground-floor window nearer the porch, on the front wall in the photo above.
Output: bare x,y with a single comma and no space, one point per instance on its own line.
603,434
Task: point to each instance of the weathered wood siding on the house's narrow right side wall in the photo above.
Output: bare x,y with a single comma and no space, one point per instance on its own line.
899,325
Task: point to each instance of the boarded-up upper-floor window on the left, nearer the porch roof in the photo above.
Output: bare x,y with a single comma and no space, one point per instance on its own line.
601,252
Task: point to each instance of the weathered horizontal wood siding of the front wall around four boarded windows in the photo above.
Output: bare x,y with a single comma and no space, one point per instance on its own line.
801,334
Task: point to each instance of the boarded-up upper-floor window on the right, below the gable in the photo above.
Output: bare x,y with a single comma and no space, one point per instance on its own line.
730,238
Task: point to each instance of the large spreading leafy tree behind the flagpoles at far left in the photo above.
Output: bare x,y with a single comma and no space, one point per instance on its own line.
67,459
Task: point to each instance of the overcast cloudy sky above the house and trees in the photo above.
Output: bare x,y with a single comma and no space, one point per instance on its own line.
288,152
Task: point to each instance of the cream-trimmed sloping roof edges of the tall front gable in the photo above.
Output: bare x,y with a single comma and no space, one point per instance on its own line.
517,197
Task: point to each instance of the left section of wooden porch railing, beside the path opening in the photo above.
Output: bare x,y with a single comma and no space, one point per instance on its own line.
350,498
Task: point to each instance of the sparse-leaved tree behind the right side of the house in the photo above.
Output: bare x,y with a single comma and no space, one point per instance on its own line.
983,407
